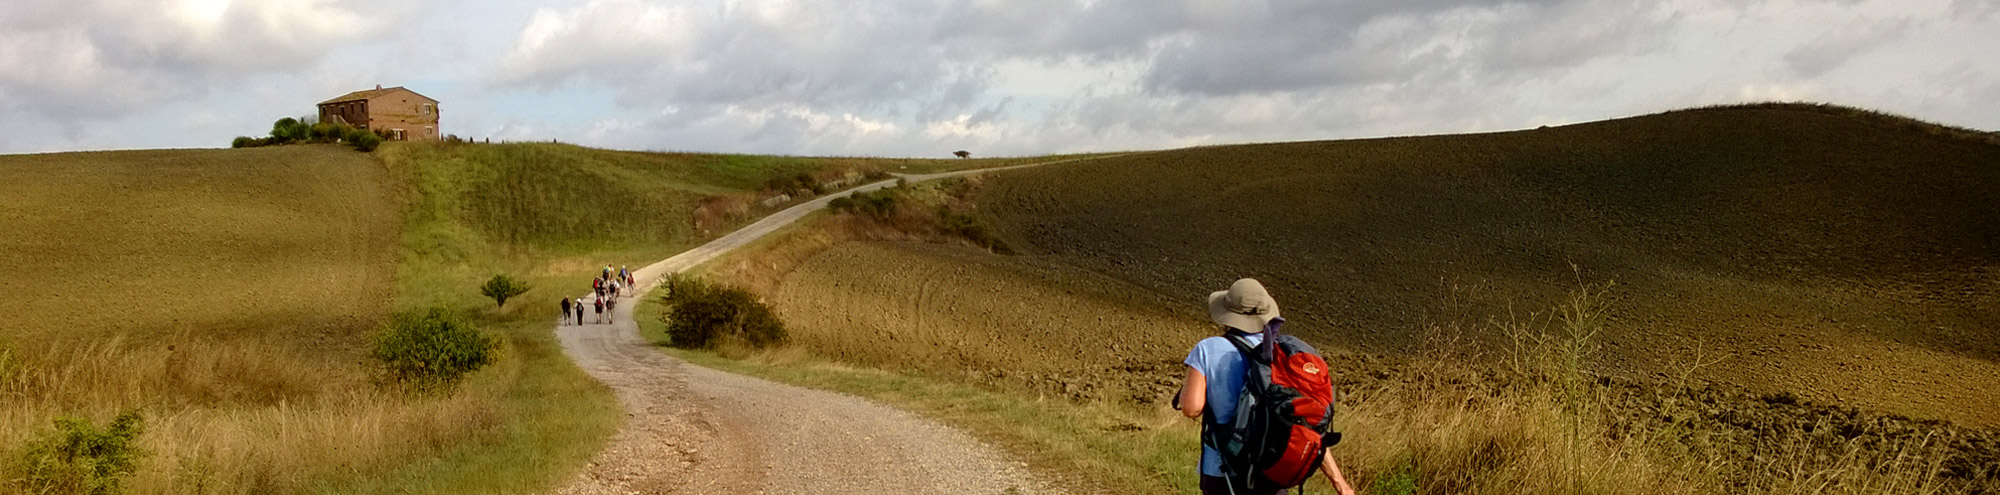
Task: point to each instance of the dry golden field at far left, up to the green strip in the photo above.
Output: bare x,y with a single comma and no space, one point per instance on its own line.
225,294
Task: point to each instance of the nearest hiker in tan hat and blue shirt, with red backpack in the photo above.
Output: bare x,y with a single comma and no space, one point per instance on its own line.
1265,400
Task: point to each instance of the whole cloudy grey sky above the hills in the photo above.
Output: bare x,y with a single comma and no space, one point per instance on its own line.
989,77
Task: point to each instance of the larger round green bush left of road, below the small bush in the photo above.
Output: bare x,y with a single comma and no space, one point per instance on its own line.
433,348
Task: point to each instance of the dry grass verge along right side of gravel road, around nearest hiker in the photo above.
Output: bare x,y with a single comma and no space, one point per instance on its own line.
1437,424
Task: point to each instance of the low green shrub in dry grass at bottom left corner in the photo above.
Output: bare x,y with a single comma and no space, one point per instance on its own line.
79,458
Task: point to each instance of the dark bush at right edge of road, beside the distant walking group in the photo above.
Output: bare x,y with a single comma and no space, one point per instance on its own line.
707,314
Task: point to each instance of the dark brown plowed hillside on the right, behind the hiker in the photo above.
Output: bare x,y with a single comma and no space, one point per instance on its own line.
1813,252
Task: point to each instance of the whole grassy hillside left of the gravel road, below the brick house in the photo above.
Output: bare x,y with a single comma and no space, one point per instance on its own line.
229,298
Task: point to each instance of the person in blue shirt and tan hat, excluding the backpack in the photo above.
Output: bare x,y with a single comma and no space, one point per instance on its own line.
1217,376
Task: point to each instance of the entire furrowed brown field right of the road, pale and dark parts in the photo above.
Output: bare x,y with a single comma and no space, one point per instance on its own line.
1791,286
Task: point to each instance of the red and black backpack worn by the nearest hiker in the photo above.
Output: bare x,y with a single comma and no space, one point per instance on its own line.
1283,418
